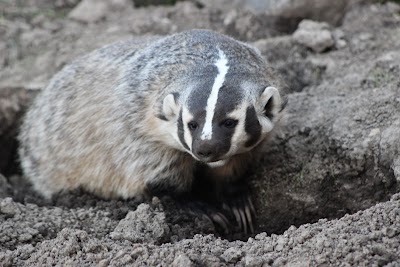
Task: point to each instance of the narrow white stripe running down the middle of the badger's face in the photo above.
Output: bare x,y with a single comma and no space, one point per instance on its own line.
222,66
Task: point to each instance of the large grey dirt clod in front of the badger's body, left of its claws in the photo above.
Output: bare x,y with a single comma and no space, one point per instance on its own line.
143,225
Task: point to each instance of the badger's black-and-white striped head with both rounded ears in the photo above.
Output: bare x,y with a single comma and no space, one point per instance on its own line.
222,112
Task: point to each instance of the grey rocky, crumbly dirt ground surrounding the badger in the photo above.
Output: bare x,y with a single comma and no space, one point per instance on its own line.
326,191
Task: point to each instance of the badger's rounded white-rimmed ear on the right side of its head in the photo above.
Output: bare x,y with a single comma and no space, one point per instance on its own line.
270,102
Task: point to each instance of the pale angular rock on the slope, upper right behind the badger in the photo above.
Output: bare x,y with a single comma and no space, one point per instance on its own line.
314,35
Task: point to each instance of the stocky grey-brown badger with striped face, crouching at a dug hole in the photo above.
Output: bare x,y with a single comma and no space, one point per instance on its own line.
156,114
